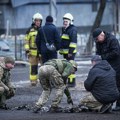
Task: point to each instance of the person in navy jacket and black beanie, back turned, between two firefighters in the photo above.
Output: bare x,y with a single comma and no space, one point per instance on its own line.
48,40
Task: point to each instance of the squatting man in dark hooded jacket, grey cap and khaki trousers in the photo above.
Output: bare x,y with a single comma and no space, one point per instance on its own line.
101,86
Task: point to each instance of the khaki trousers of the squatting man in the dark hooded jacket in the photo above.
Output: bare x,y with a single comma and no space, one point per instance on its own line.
90,102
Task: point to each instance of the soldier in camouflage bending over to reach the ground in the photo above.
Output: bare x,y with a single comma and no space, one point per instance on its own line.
53,74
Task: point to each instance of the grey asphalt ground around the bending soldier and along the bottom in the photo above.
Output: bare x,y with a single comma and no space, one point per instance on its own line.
27,95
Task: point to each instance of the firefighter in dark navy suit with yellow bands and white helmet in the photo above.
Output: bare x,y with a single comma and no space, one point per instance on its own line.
69,43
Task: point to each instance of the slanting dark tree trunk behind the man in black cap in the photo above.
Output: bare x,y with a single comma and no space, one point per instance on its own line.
89,45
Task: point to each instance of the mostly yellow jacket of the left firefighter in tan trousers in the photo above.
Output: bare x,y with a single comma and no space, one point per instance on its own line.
30,44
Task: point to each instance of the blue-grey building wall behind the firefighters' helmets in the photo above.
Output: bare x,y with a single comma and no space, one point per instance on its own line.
21,17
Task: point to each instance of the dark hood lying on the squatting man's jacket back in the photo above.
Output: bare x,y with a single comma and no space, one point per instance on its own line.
103,65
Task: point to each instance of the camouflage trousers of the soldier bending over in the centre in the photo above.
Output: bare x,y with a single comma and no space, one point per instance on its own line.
50,78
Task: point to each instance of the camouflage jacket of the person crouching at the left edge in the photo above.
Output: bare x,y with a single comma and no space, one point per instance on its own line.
4,75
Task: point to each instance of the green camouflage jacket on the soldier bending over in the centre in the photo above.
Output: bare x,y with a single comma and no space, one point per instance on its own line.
63,66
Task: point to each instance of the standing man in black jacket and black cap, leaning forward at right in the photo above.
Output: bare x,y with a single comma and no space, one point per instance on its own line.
108,47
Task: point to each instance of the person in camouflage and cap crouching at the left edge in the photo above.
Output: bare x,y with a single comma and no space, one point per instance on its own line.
6,88
